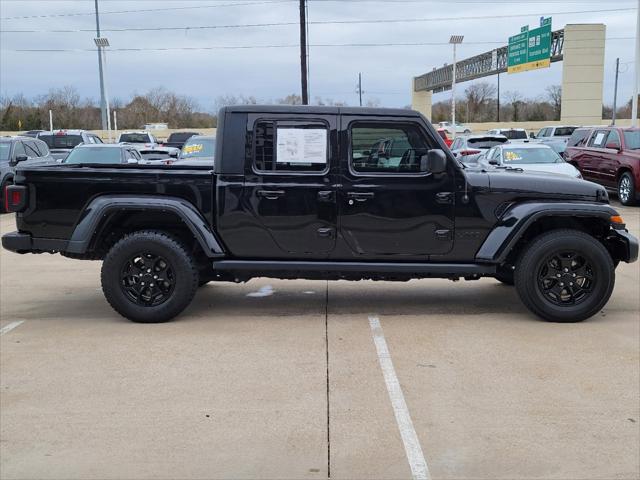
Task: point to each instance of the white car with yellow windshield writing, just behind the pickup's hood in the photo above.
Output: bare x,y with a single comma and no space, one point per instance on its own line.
528,157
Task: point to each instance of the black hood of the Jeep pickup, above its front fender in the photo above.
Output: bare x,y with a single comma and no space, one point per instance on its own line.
544,185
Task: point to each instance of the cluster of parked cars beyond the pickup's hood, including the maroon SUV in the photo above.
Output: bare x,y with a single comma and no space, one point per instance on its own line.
607,155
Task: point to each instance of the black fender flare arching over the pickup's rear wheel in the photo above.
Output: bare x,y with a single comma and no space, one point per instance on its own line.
100,207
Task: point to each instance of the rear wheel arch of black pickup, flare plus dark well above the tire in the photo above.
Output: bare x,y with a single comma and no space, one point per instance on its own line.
117,215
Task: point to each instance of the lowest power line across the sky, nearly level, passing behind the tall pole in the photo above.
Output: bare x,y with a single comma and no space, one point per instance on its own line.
247,47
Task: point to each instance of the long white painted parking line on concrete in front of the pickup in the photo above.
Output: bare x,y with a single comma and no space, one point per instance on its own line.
417,463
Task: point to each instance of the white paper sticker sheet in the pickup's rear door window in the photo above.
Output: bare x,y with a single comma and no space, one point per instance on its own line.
302,145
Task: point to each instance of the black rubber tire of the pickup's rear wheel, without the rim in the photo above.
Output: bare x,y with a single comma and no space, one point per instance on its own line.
160,245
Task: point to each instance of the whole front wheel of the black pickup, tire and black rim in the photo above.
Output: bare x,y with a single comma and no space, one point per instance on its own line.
565,276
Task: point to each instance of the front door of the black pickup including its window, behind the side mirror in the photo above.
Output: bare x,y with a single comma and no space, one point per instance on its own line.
389,206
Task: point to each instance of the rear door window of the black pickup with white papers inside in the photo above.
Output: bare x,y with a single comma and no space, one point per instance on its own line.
291,146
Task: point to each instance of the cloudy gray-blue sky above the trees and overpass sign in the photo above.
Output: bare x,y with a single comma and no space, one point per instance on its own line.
270,73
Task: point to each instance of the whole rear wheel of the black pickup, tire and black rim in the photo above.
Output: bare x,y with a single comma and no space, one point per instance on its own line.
149,277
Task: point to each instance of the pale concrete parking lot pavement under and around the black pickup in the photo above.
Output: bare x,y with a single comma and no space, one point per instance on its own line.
286,379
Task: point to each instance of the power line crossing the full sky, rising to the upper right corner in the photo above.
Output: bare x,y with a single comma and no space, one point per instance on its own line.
332,22
